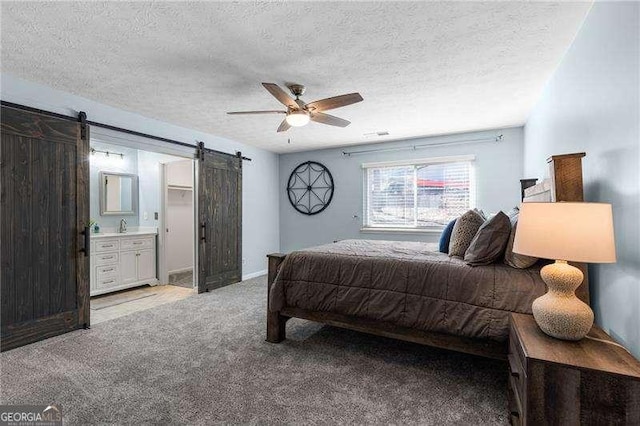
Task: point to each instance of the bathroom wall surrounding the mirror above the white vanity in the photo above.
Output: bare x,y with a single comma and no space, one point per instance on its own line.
99,162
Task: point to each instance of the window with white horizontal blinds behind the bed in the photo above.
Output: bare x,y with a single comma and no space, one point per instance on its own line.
418,194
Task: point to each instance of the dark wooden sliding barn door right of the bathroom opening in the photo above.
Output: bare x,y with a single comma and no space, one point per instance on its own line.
220,220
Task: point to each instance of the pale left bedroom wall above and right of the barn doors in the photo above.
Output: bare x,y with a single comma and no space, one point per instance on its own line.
260,177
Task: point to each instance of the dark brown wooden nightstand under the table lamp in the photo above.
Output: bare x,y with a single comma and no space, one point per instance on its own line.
560,382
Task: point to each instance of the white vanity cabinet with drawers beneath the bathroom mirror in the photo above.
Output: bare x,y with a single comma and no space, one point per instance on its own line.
120,261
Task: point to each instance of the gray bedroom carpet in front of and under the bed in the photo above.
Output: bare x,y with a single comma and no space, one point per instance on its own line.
204,359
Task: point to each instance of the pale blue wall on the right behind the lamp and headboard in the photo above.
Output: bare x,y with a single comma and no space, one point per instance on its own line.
591,104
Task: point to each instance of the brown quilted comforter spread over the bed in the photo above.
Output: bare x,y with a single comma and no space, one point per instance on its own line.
408,284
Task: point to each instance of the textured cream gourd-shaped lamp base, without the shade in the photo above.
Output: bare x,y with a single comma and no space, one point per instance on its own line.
559,313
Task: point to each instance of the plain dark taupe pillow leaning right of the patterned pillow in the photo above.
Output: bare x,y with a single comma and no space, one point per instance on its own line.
489,242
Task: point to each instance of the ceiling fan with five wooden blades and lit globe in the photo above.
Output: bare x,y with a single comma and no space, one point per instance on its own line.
299,113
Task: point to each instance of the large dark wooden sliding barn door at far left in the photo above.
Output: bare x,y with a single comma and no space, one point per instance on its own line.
44,207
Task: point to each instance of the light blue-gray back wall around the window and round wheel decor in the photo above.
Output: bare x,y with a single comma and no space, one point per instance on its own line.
498,170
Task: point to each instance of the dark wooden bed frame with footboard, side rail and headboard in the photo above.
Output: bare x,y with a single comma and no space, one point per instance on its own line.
564,184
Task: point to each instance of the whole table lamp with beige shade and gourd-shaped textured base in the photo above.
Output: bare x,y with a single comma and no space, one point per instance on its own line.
578,232
